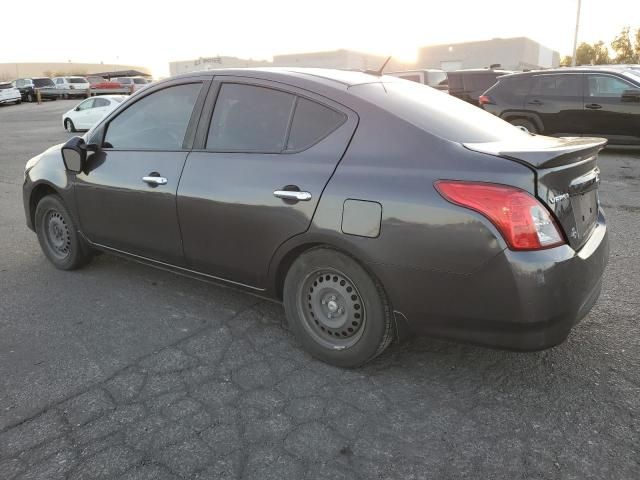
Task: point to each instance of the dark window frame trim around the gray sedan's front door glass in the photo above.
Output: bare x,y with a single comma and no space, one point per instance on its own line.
187,143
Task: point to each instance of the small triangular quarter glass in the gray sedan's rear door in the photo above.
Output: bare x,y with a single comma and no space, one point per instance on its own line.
311,123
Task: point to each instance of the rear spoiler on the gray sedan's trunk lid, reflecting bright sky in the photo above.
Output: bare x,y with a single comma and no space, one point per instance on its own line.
543,152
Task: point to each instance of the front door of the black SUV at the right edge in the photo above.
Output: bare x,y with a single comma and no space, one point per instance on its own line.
608,111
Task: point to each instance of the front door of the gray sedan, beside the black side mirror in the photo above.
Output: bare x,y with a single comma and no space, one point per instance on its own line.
126,198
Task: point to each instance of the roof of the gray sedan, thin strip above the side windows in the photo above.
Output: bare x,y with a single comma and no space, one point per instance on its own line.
326,76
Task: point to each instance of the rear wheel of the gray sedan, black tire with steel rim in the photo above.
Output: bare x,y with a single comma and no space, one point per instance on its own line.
338,311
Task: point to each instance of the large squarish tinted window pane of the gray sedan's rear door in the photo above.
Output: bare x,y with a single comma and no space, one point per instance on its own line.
249,118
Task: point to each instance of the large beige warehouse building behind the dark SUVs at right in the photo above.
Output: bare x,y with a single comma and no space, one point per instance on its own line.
518,53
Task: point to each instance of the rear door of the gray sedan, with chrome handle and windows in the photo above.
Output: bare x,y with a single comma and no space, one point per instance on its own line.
257,176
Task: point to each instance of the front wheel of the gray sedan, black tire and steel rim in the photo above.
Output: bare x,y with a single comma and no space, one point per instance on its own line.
58,235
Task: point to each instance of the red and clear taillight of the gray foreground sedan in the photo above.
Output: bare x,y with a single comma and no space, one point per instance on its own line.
522,220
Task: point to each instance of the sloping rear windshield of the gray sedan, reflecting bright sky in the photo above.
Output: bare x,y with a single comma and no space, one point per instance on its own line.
437,113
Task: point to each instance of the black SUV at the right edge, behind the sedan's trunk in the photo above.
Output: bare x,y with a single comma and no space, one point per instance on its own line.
602,102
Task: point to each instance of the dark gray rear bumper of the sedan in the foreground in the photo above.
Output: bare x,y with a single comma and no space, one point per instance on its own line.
517,300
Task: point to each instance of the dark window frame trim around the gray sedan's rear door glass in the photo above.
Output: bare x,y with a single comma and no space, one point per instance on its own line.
212,99
